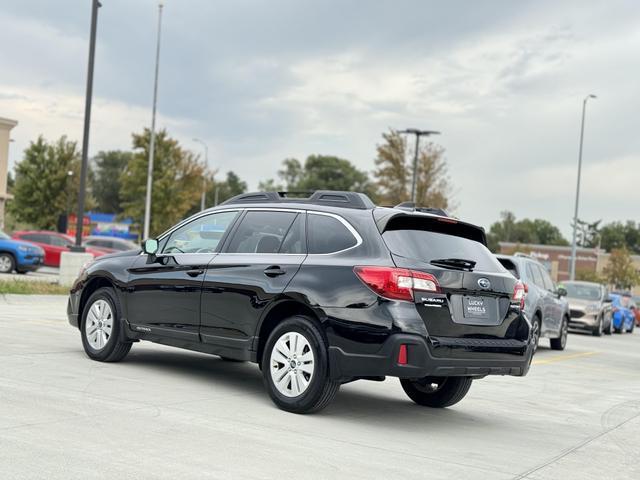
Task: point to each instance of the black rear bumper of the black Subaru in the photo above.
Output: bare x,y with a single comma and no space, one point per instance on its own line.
475,357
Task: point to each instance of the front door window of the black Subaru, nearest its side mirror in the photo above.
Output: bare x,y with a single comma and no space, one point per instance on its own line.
201,235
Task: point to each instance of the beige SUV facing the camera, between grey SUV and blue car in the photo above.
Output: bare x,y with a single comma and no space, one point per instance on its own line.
590,307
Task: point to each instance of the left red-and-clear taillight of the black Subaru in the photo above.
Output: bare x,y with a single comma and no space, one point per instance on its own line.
396,283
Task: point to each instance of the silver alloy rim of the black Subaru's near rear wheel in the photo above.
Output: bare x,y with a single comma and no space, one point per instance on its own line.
292,364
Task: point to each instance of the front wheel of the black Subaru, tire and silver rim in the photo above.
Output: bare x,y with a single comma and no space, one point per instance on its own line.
106,345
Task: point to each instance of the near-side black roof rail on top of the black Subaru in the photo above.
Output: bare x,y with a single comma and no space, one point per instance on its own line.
319,197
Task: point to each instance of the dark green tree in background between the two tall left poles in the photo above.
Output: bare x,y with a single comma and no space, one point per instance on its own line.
108,168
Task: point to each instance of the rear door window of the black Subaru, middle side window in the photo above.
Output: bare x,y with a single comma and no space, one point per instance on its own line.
261,232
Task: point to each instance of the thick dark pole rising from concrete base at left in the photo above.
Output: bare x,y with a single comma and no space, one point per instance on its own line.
87,122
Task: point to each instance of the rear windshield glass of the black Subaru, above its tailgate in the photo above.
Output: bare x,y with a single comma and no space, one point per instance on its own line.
426,246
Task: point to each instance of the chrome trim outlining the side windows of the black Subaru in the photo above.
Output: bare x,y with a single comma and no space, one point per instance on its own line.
347,225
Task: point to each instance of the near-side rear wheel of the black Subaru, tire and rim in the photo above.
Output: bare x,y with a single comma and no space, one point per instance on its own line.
307,388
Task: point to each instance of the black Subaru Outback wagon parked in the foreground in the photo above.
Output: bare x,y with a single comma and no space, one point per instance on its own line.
318,291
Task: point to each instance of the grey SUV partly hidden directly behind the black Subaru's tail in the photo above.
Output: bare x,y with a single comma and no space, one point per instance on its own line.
545,305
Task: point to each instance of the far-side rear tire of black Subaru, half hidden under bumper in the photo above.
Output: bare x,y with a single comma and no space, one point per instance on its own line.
436,392
